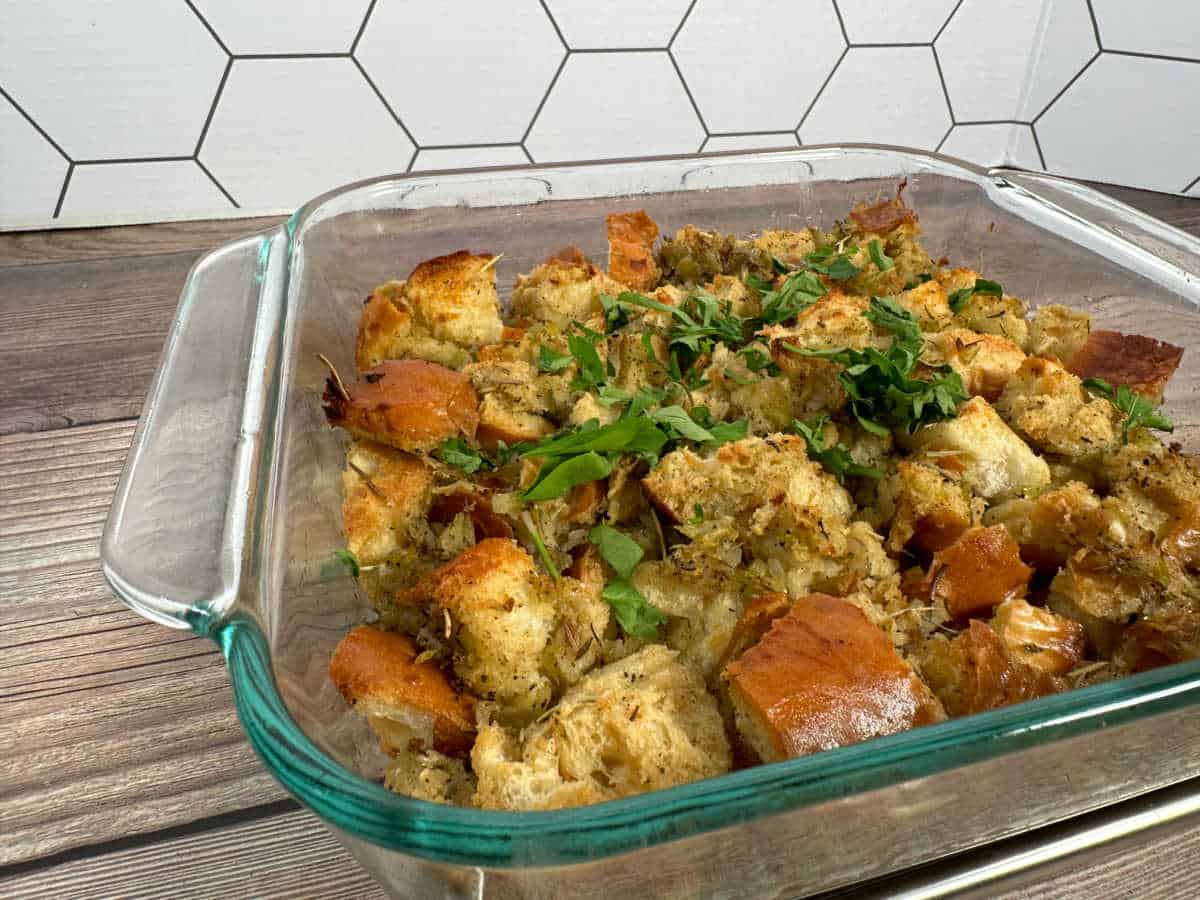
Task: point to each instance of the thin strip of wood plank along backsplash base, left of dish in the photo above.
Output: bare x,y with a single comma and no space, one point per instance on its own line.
74,245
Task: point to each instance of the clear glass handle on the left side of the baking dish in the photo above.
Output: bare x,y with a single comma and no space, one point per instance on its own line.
173,545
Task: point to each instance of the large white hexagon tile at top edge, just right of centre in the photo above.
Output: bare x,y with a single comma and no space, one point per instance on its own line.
787,50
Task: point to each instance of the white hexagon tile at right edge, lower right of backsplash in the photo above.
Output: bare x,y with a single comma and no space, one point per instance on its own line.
1127,119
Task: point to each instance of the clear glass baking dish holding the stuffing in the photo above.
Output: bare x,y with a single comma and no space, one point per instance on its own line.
227,517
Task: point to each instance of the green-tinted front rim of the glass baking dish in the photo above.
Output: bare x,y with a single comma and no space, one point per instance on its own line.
469,837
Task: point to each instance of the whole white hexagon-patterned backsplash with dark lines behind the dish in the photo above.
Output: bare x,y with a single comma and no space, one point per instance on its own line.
151,110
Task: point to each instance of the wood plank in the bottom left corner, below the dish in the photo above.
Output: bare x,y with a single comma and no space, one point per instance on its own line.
290,855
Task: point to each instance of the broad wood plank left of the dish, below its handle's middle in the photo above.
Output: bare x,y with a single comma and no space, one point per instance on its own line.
110,725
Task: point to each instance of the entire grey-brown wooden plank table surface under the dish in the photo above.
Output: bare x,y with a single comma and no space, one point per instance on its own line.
123,769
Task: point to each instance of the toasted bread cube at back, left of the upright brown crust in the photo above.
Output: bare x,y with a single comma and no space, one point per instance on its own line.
563,290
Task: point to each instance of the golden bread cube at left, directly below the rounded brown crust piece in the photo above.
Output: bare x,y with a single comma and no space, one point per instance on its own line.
387,497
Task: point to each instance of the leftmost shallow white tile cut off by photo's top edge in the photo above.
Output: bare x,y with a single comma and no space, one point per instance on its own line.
285,26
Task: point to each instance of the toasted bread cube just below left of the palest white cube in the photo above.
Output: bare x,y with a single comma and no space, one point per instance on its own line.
932,507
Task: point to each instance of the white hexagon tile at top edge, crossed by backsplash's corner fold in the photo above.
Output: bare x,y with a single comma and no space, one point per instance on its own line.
986,53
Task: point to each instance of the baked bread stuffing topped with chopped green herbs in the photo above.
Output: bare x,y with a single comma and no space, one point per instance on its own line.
737,500
